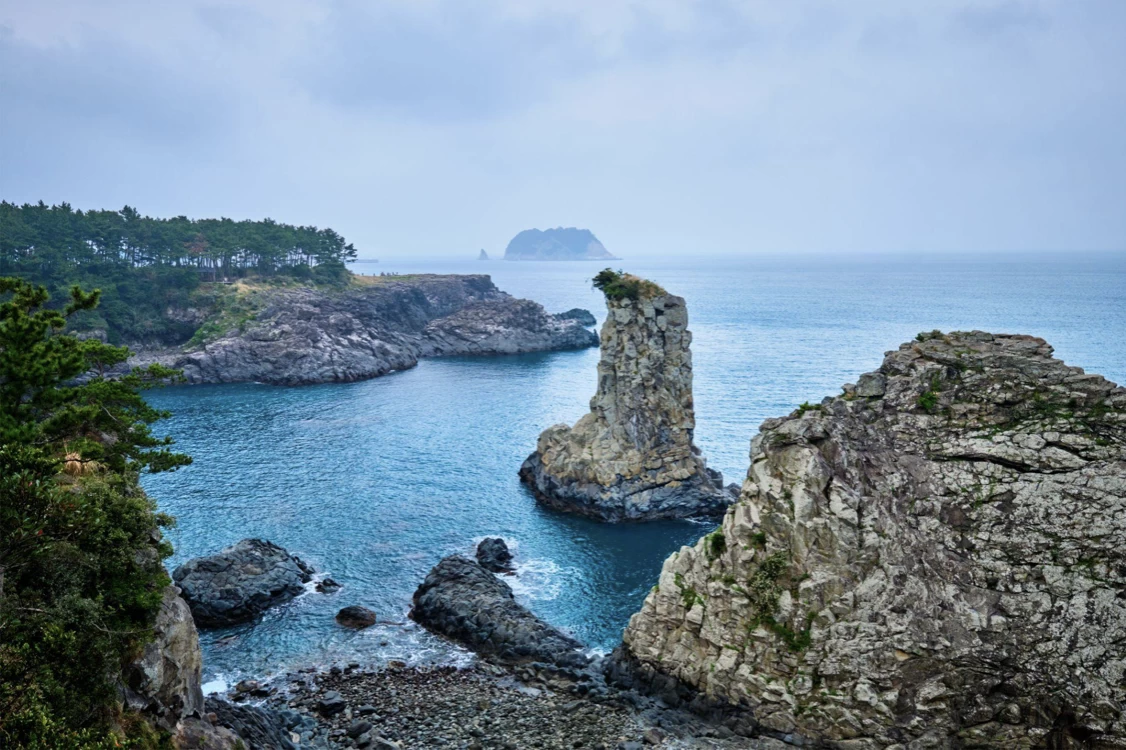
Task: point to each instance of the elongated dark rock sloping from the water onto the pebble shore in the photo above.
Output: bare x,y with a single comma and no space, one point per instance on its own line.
463,602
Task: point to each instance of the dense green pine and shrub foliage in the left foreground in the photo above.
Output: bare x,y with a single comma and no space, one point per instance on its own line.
81,551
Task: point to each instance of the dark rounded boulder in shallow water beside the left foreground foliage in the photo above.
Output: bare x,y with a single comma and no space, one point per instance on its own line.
240,583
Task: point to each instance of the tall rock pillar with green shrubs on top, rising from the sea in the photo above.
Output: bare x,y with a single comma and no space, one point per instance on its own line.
632,458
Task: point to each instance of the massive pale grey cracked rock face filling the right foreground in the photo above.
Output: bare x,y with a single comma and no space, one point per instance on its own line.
936,559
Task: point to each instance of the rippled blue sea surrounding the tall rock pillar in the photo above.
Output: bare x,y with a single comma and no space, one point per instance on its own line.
374,483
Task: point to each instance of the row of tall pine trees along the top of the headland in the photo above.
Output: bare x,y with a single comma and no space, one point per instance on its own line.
49,243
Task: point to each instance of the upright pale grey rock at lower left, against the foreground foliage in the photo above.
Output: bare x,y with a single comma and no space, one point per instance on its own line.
165,683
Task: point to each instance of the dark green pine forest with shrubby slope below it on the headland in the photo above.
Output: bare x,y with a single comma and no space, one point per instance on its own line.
147,266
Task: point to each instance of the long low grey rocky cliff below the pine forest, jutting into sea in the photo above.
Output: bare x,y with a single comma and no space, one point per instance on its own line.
302,335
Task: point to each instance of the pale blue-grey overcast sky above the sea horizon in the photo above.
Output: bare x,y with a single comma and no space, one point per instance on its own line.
437,128
